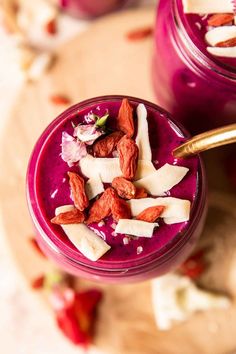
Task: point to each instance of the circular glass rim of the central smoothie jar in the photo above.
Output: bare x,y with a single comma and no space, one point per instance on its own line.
72,255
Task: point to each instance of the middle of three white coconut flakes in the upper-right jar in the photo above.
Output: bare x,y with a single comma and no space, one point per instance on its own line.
220,34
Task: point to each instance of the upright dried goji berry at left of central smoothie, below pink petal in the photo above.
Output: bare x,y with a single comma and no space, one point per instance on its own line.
78,191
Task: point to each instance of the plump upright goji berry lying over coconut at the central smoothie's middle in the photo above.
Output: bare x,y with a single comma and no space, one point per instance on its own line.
128,154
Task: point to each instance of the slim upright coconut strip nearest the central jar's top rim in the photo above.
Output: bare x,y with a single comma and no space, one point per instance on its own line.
142,138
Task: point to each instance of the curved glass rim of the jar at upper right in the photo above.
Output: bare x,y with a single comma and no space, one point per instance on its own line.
205,60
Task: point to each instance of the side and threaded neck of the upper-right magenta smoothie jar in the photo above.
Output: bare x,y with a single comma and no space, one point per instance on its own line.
198,89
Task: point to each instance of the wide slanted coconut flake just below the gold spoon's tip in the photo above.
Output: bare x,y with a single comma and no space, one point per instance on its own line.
162,179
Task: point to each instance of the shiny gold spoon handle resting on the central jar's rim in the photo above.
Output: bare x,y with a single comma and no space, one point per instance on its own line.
206,141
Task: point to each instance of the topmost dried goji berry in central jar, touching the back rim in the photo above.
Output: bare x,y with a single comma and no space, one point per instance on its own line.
125,121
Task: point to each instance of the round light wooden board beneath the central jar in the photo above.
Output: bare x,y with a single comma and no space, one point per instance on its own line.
97,62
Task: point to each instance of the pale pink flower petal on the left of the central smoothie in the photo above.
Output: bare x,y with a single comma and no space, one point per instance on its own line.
72,150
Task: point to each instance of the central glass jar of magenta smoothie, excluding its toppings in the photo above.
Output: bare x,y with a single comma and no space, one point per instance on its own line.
48,188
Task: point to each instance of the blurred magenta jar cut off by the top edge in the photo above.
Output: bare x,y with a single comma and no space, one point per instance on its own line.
90,8
